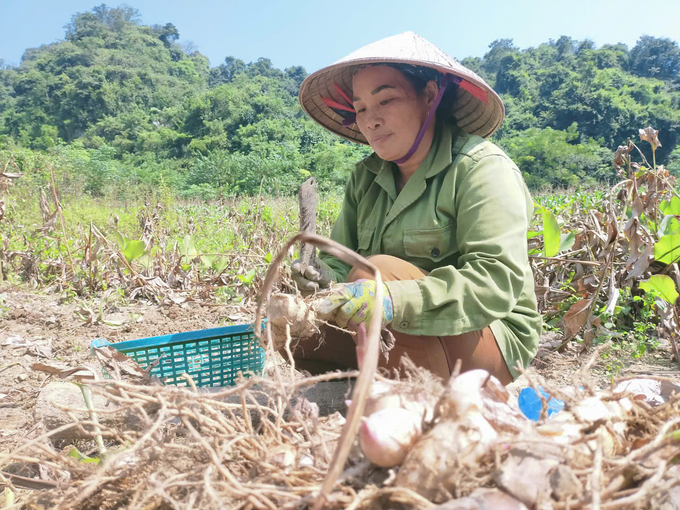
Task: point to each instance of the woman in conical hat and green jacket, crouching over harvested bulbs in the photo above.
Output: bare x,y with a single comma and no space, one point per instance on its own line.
440,211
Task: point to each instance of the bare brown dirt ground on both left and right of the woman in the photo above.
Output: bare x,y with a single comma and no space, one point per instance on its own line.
62,336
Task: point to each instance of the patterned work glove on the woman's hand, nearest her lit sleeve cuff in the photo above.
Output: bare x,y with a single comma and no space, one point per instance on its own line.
354,303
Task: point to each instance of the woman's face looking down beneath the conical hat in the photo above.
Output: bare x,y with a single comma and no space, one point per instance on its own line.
389,111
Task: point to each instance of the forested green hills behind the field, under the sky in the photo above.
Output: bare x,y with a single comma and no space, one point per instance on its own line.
123,104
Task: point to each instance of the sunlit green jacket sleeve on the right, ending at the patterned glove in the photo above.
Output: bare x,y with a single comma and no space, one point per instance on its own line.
491,215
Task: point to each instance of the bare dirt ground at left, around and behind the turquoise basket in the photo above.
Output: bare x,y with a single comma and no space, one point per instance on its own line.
63,337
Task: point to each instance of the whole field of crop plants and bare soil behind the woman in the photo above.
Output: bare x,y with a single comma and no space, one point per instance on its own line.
75,268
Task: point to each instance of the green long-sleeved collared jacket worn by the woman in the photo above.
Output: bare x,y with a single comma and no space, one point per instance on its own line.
463,216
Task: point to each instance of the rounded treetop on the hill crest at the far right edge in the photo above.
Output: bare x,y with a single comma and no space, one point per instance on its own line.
655,57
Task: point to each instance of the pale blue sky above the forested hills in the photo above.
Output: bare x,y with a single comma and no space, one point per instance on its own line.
316,33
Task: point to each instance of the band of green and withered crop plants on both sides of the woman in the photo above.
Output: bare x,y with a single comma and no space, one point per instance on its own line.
605,259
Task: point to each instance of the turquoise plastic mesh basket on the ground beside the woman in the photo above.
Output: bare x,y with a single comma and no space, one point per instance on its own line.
212,357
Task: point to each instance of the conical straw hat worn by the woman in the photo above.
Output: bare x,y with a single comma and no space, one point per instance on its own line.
471,113
